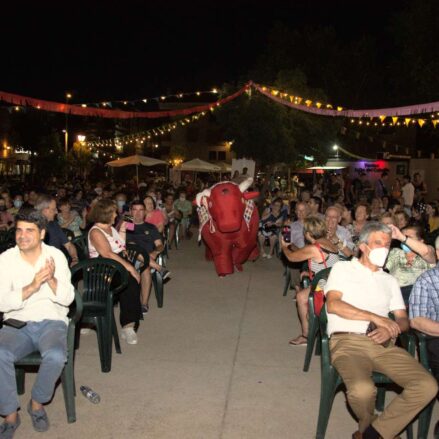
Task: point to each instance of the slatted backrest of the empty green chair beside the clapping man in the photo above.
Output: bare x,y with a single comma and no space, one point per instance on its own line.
101,279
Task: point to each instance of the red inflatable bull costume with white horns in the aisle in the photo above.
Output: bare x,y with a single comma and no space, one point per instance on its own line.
229,222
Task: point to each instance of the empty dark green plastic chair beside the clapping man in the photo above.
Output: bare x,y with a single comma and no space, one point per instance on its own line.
103,279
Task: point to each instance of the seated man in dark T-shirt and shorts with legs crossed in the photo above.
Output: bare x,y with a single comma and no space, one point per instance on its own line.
146,236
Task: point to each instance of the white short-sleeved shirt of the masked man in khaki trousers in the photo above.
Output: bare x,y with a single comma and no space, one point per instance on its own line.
373,291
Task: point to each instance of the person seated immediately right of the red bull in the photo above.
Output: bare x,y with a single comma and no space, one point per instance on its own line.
270,225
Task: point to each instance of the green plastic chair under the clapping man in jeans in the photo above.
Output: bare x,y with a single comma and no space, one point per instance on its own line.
67,375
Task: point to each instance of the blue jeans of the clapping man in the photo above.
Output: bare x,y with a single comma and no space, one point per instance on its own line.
49,337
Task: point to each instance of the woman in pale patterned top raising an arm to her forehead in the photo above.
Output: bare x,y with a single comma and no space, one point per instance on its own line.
414,257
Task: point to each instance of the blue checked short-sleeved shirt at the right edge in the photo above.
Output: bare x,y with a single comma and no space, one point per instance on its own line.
424,298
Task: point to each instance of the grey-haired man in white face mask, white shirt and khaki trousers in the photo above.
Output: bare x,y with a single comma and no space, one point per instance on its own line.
359,296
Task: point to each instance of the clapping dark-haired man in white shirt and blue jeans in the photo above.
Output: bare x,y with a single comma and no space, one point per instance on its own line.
35,288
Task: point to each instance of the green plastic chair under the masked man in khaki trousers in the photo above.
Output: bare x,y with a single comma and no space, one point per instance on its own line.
331,380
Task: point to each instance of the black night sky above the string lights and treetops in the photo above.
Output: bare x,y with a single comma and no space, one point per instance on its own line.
131,49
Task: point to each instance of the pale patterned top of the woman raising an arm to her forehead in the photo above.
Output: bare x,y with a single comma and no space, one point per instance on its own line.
405,274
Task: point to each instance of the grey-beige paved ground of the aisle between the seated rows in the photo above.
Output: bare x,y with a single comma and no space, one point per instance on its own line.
213,363
